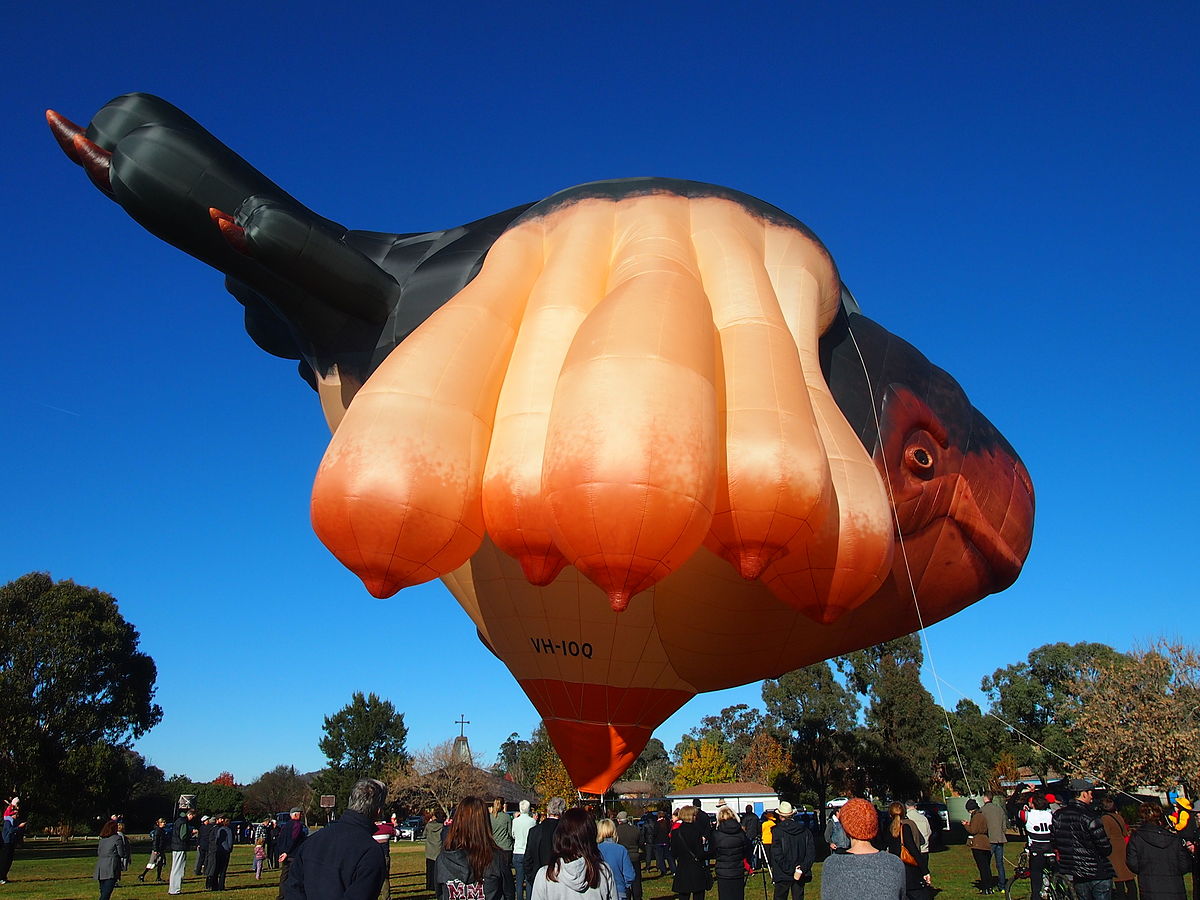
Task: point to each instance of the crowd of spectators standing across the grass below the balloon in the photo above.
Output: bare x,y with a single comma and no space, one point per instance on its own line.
482,853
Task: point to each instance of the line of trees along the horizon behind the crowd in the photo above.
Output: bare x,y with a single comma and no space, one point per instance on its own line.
862,723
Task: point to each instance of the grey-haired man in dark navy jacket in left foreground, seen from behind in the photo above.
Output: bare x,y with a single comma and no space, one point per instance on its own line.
344,861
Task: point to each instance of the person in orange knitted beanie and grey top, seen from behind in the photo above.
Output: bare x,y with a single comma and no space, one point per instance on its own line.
862,873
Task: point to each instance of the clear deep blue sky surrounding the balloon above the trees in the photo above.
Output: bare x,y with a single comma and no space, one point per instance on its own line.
1011,187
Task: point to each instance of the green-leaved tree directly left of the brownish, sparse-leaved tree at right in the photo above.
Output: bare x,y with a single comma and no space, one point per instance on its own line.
1035,699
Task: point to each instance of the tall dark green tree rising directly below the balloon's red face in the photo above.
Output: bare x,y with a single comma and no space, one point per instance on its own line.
903,722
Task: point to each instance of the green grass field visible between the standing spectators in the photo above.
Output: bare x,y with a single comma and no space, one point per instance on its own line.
57,871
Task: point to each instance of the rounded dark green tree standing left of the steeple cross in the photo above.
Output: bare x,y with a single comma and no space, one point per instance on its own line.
363,740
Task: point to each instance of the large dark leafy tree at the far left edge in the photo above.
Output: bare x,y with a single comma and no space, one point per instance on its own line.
75,692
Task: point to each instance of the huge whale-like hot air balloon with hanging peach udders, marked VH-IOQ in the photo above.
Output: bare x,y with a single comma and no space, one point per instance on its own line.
631,427
